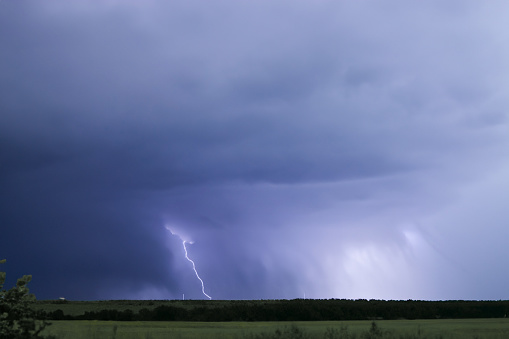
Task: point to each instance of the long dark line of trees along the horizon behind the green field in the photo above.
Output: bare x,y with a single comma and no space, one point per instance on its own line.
301,310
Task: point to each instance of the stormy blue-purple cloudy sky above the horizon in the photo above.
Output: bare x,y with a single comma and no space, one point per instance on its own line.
317,149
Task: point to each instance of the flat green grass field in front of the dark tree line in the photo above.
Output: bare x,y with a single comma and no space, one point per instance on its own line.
440,328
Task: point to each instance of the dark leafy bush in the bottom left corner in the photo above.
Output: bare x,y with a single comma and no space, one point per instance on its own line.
17,319
